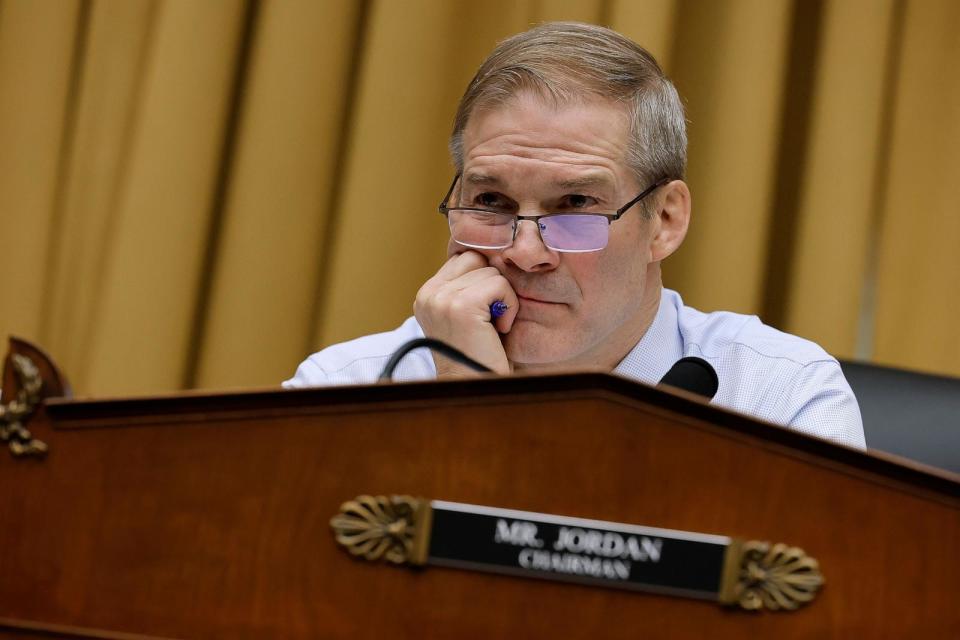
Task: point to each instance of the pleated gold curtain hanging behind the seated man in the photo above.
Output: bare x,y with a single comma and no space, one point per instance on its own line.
198,194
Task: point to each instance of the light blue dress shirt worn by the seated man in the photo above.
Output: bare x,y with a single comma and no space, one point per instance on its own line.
763,372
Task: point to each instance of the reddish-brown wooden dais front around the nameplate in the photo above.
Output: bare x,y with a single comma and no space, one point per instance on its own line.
208,516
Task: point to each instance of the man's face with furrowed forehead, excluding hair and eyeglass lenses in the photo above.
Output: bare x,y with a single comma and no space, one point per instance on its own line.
576,309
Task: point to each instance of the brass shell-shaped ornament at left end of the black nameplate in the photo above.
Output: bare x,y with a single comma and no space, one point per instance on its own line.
378,527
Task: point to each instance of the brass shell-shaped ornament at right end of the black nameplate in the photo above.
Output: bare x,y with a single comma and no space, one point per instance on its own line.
772,576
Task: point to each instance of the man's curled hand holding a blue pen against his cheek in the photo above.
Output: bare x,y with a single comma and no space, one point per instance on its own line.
454,306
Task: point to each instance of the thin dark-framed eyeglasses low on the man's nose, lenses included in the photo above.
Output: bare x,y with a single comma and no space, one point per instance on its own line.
568,232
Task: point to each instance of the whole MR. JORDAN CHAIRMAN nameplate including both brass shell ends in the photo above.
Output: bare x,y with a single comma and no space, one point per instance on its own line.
406,530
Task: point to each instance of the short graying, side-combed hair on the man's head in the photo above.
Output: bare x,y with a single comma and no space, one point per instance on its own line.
569,61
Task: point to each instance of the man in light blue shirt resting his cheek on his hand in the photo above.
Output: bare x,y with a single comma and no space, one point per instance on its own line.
570,151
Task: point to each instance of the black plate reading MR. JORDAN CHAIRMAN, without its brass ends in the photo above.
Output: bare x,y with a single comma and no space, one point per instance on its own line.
575,549
